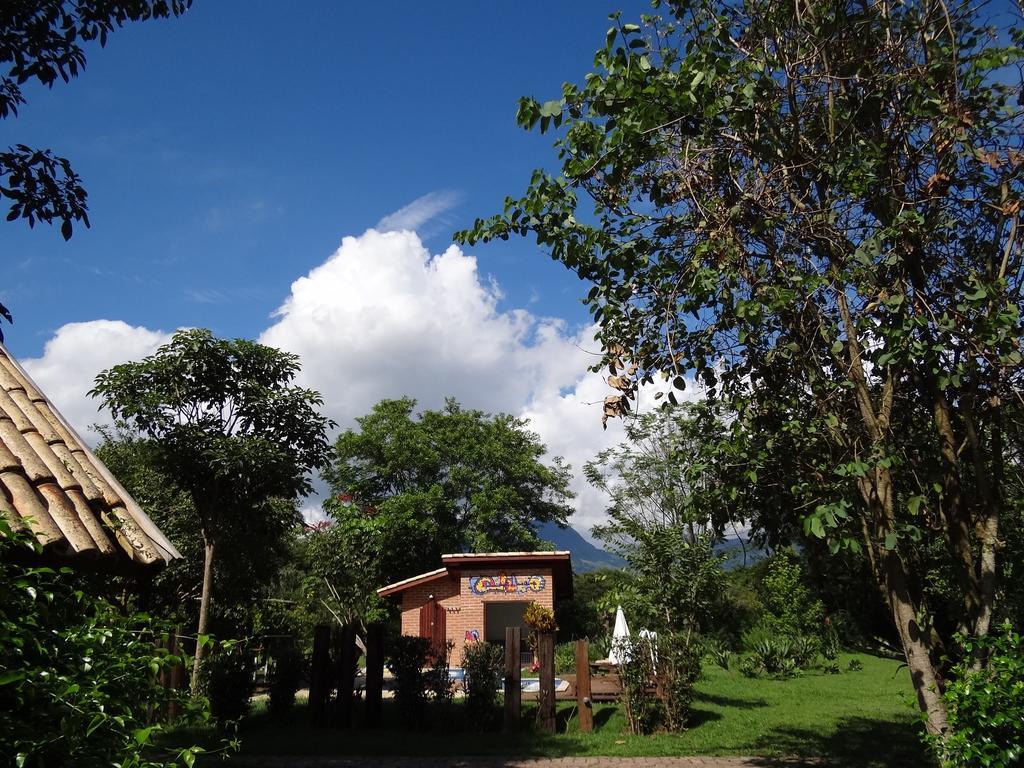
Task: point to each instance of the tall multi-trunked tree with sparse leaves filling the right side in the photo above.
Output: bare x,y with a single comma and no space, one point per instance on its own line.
815,207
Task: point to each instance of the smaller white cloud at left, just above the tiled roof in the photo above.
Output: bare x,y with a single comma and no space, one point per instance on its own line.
76,354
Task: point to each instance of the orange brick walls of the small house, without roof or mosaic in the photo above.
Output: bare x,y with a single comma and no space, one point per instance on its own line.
463,608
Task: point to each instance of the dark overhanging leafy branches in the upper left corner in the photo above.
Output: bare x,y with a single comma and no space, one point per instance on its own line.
44,41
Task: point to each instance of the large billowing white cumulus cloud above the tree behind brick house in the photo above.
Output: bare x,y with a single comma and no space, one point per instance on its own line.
383,318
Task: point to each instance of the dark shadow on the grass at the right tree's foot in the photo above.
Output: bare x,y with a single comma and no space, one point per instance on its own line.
857,743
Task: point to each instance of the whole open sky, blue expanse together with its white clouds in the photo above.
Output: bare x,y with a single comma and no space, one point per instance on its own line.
229,153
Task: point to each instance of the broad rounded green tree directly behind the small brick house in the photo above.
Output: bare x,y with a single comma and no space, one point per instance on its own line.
408,488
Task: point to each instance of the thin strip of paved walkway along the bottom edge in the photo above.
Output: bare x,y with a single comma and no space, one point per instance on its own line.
493,762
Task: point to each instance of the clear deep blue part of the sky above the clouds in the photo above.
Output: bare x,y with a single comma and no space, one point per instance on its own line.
227,153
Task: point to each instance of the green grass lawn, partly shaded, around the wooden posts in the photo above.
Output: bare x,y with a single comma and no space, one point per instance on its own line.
859,719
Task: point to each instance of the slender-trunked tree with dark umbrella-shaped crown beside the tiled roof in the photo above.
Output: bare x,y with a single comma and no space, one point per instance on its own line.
231,430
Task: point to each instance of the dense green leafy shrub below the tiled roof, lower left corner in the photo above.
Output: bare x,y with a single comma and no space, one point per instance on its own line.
79,680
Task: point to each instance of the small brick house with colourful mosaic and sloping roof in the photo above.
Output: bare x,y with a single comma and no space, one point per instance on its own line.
476,596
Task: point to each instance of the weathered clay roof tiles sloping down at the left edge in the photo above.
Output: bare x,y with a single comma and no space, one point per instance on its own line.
53,485
